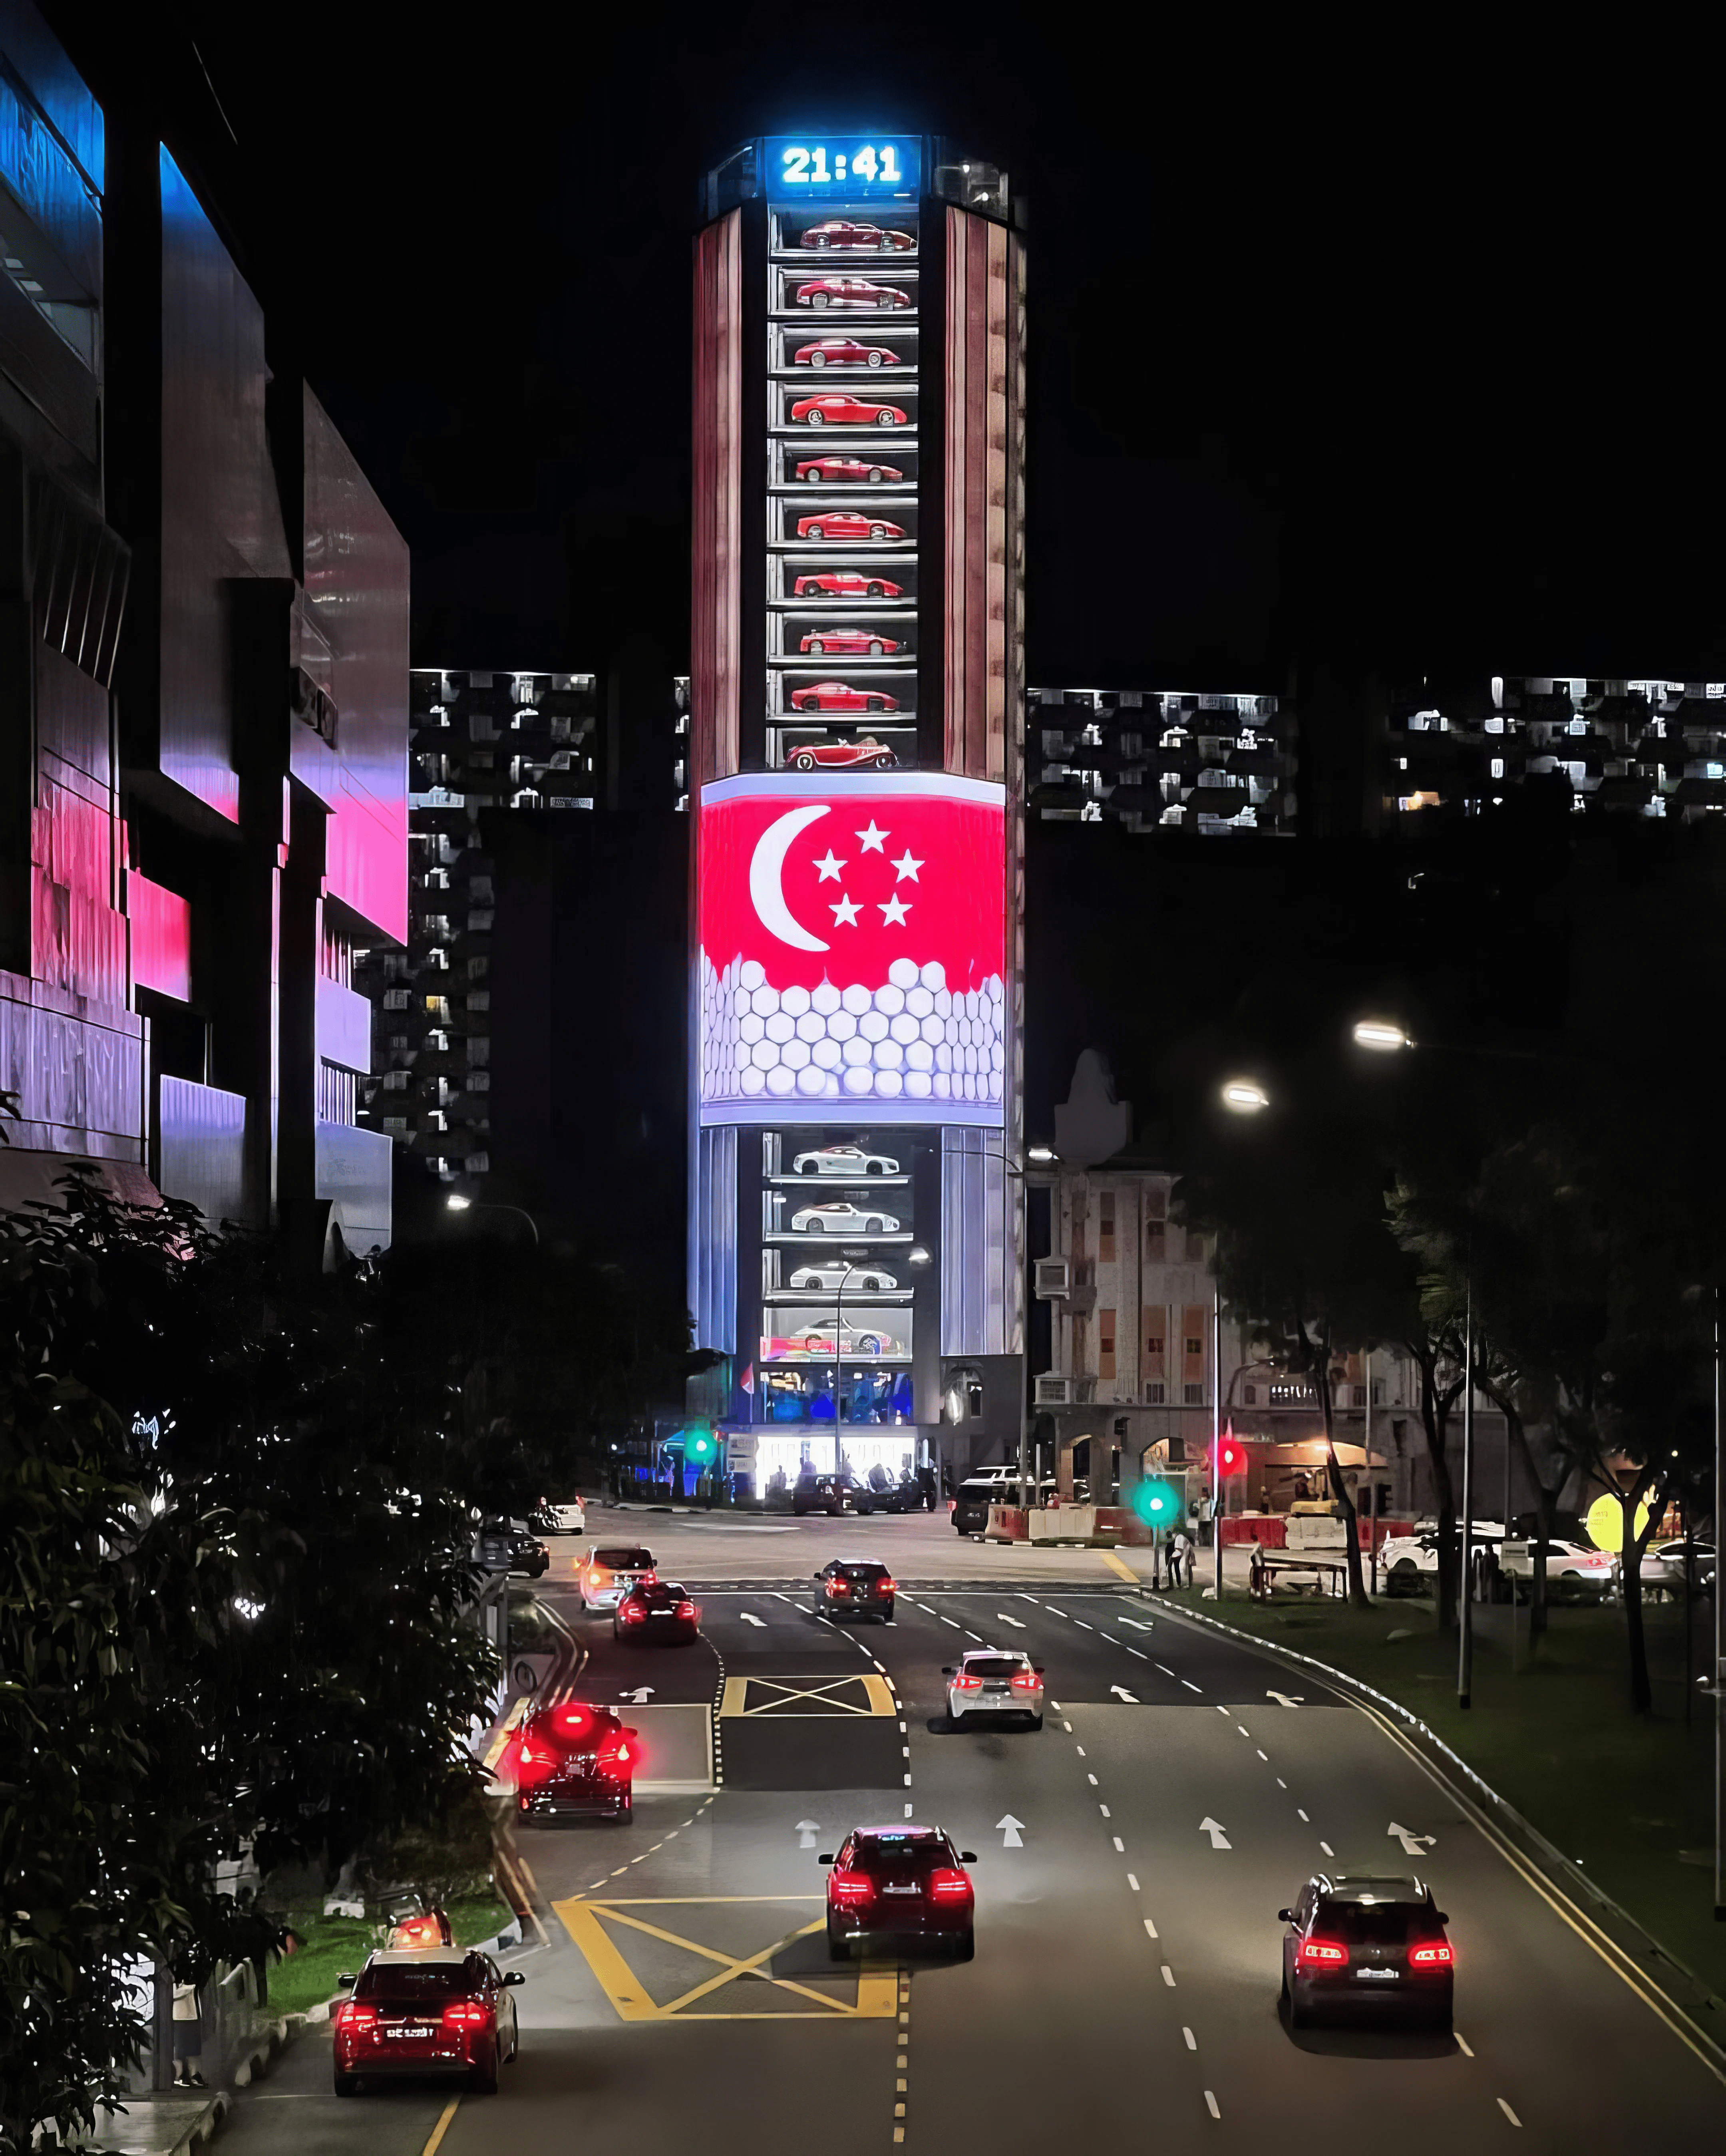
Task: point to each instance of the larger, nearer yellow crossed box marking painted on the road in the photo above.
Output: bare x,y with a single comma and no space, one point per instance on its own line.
589,1926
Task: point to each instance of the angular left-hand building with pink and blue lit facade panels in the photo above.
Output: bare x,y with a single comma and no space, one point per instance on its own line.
204,721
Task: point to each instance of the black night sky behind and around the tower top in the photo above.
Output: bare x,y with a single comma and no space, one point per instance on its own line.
1402,350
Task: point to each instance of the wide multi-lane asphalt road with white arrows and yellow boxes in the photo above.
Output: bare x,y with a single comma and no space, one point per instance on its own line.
1132,1860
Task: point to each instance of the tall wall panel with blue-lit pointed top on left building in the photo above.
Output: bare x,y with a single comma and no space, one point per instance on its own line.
221,512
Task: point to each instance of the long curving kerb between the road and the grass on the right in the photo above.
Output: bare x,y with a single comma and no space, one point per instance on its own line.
1606,1918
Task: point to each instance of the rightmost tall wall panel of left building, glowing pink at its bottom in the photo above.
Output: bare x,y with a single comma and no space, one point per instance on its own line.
357,588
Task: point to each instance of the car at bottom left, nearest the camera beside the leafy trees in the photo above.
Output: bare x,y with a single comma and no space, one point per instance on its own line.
441,2013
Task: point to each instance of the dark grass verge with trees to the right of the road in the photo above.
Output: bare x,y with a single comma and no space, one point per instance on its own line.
1630,1799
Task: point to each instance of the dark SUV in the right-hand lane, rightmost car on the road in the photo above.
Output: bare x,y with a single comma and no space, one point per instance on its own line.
1367,1944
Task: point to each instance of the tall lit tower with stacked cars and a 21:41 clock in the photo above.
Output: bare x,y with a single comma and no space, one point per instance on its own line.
857,1004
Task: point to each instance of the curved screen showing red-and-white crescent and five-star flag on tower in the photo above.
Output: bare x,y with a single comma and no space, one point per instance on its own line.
852,950
